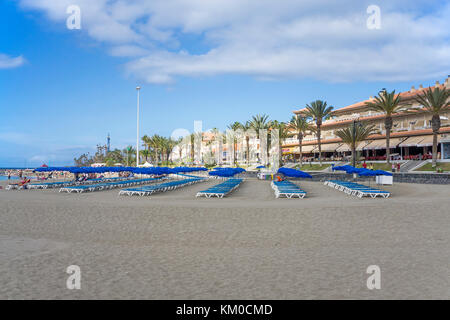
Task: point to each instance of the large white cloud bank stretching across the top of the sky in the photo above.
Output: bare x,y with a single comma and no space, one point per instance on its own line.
319,39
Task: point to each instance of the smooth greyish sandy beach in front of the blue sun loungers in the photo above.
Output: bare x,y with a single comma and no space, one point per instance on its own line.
247,246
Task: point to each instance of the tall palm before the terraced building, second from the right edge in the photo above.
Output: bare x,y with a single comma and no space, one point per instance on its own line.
387,103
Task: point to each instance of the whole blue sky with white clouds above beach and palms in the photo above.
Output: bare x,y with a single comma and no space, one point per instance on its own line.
62,91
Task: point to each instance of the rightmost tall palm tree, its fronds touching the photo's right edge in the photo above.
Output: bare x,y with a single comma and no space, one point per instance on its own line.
435,102
